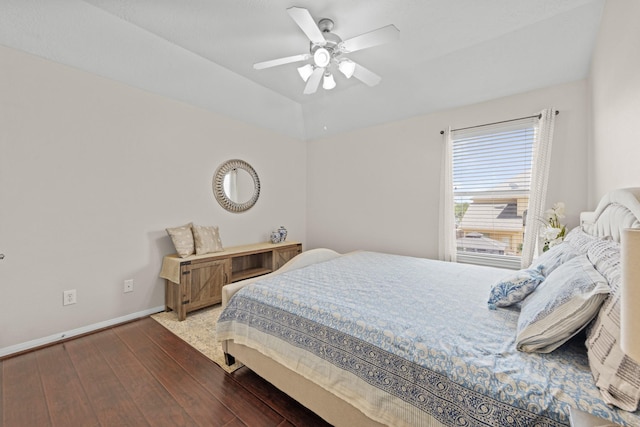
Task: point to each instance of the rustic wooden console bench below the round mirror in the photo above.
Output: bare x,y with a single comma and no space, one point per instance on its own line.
196,281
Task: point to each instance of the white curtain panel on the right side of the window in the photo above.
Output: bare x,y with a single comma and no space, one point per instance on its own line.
539,179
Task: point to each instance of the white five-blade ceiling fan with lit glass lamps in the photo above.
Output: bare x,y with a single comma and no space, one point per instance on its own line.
327,52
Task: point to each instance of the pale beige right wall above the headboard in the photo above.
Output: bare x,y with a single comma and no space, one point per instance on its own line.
614,84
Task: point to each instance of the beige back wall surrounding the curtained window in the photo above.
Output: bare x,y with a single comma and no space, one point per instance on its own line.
378,188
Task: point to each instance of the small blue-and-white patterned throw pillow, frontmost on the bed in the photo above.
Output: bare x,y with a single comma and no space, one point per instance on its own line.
515,288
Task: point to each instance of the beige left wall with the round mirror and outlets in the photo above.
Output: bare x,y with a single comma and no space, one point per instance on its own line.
92,171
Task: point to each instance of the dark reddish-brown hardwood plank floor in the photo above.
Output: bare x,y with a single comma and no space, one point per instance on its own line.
137,374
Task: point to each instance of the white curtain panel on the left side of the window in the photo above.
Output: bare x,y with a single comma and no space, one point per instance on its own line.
447,223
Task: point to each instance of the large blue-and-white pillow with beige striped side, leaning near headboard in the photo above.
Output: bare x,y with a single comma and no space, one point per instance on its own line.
567,300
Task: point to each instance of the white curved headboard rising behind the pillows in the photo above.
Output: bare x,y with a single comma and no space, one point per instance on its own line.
617,210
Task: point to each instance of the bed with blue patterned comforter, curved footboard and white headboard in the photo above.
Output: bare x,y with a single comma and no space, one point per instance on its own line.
369,338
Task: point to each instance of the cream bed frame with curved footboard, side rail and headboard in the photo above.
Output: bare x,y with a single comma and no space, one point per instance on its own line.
324,403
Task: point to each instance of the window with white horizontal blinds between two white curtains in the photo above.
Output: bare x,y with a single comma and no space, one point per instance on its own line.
491,186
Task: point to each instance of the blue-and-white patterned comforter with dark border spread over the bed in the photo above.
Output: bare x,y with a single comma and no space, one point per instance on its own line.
419,330
